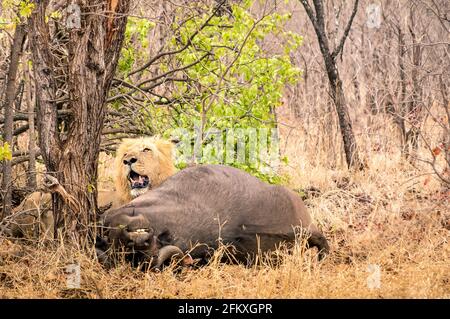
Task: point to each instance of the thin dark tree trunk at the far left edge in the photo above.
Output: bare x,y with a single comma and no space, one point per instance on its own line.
8,106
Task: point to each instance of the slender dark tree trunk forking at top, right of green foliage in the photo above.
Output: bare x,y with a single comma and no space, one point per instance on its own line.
317,18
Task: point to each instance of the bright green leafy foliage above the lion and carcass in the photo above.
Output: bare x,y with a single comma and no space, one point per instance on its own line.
236,86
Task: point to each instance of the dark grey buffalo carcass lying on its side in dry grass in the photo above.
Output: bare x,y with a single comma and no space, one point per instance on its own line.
200,207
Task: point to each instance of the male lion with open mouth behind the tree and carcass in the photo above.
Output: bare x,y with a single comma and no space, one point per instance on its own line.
140,164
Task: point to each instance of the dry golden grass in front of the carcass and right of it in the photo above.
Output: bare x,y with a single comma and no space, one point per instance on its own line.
390,216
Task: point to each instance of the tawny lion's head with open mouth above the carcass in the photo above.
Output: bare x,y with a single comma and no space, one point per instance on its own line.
141,164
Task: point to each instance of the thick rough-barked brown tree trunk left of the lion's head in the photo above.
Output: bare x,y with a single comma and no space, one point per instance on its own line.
70,147
